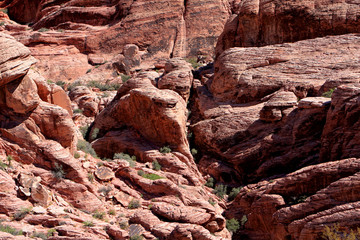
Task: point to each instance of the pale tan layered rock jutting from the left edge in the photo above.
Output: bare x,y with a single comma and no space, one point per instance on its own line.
15,59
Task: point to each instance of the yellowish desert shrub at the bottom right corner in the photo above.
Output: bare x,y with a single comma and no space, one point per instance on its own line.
334,232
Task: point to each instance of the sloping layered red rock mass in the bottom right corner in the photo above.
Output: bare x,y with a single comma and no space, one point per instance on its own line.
299,205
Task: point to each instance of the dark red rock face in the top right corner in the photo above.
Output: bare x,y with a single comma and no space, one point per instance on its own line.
259,23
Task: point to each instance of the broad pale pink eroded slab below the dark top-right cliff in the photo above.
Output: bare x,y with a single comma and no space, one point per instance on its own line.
248,74
